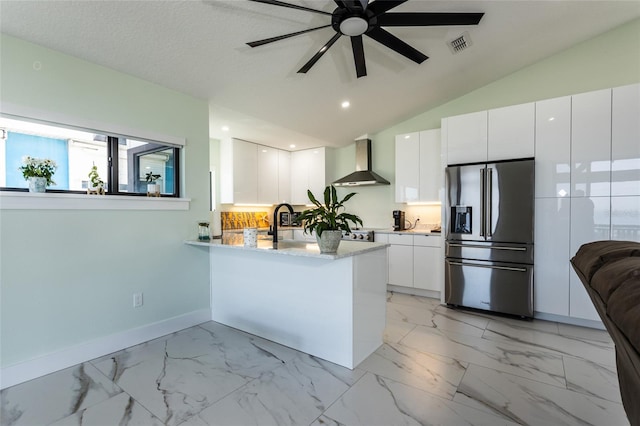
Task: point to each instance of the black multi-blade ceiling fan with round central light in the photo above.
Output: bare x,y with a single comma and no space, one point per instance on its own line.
355,18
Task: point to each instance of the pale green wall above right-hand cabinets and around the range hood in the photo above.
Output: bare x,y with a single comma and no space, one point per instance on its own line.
609,60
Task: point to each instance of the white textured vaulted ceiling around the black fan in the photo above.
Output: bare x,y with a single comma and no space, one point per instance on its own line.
198,47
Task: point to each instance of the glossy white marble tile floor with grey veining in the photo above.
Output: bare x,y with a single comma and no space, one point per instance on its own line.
437,366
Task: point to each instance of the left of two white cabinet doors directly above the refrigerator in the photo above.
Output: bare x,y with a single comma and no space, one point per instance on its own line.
467,138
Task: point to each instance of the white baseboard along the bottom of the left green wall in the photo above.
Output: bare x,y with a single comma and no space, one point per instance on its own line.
37,367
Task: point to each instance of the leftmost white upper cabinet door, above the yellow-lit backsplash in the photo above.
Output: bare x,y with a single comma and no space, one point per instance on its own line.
245,172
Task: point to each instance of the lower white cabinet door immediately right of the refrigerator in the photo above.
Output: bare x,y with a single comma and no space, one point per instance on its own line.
551,266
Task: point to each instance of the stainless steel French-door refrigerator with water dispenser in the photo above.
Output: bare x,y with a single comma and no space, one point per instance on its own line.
489,236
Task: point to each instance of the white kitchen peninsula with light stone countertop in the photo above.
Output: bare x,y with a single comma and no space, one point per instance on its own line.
328,305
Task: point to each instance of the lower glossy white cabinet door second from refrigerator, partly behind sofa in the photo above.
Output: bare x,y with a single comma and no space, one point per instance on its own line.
590,221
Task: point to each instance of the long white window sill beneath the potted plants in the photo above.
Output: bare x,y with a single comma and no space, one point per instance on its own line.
57,201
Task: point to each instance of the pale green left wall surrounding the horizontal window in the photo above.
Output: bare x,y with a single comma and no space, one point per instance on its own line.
68,276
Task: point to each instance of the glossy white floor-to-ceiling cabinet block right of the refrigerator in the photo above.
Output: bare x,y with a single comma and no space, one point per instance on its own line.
587,188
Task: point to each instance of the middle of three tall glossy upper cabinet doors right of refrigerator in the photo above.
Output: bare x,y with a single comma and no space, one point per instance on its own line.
591,144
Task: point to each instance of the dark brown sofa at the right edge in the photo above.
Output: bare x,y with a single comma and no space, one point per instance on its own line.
610,271
